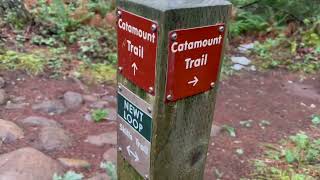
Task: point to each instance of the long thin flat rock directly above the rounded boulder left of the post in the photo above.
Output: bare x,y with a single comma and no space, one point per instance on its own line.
40,121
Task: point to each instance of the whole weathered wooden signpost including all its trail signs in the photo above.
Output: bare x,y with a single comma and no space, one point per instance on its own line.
170,53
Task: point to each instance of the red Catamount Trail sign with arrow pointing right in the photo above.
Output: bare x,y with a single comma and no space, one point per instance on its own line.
194,61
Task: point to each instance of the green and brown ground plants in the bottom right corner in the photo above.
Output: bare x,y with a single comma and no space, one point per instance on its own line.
295,158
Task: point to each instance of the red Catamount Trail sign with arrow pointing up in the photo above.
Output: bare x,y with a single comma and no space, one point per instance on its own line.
137,49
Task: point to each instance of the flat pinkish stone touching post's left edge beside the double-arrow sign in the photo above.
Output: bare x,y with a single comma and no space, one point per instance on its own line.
102,139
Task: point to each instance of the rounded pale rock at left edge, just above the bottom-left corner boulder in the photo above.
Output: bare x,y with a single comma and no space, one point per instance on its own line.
9,131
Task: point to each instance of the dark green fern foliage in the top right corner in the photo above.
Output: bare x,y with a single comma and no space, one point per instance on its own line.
270,15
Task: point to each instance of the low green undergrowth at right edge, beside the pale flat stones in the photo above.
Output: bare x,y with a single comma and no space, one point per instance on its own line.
276,53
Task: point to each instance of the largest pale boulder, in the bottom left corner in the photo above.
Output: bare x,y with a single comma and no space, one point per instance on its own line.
28,164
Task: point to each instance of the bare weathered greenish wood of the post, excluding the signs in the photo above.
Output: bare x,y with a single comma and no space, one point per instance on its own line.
180,129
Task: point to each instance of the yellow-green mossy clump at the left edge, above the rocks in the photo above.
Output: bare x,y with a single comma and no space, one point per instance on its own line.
30,63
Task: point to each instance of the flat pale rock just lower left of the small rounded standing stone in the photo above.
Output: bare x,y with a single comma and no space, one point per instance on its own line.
49,107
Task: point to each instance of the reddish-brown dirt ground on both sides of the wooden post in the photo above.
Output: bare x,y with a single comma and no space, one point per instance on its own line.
283,99
